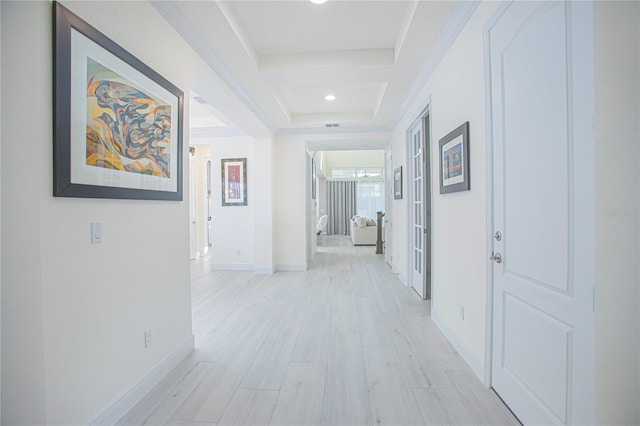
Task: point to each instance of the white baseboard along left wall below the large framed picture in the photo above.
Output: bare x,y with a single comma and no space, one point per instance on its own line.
122,404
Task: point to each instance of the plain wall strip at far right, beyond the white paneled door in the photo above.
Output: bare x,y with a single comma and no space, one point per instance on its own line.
617,71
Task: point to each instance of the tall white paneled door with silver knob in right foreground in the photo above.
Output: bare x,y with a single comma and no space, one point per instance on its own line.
541,79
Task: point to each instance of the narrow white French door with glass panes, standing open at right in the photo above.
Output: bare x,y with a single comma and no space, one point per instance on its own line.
416,188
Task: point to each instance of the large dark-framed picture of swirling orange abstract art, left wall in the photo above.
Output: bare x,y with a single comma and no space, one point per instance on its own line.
111,159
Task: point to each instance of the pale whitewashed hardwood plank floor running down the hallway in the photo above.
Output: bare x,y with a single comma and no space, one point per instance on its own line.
344,343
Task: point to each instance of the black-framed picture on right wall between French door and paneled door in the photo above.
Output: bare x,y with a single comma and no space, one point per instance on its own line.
454,160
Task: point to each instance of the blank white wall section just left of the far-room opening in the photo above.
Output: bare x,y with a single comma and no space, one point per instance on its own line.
291,203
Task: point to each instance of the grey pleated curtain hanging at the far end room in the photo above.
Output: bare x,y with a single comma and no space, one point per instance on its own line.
341,206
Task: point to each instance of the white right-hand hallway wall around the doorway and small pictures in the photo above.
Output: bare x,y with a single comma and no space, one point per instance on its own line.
459,263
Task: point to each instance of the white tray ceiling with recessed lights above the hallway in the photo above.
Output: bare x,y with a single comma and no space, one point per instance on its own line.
283,57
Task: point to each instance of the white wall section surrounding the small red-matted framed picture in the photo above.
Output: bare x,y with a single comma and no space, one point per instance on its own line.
233,226
